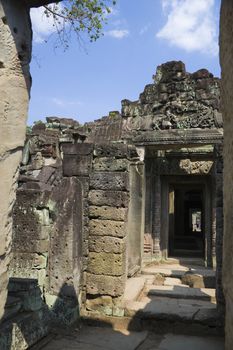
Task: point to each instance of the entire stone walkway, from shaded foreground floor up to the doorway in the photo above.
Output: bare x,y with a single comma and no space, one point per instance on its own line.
170,306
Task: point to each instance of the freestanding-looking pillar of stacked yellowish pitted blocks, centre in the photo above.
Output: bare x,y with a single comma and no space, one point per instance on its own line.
108,201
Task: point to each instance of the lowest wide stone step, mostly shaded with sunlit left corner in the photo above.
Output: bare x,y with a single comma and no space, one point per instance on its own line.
162,314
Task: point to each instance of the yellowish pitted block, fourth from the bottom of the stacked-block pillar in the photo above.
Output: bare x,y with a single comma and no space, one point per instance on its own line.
106,244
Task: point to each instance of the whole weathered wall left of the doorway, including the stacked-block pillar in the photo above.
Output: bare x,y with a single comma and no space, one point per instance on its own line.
72,202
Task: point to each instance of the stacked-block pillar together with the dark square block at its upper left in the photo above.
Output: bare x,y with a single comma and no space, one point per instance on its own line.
104,168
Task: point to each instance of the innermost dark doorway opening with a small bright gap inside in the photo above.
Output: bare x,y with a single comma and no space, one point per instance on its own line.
186,221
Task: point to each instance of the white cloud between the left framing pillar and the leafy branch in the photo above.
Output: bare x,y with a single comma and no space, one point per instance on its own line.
42,25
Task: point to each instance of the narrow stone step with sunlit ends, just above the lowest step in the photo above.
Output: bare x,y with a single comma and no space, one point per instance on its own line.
182,292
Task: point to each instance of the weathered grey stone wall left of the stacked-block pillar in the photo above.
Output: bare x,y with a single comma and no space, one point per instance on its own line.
48,225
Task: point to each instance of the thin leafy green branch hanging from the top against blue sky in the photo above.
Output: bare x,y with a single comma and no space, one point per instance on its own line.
79,16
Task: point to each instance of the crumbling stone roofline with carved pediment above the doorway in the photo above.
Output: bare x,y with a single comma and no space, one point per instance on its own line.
176,100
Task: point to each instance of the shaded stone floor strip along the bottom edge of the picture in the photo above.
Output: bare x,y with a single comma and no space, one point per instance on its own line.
94,338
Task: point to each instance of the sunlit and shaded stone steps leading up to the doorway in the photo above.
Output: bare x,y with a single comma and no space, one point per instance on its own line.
177,291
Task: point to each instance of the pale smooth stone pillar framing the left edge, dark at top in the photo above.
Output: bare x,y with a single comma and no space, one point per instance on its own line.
15,82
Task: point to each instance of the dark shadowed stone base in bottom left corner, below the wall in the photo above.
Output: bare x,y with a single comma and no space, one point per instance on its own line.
29,317
